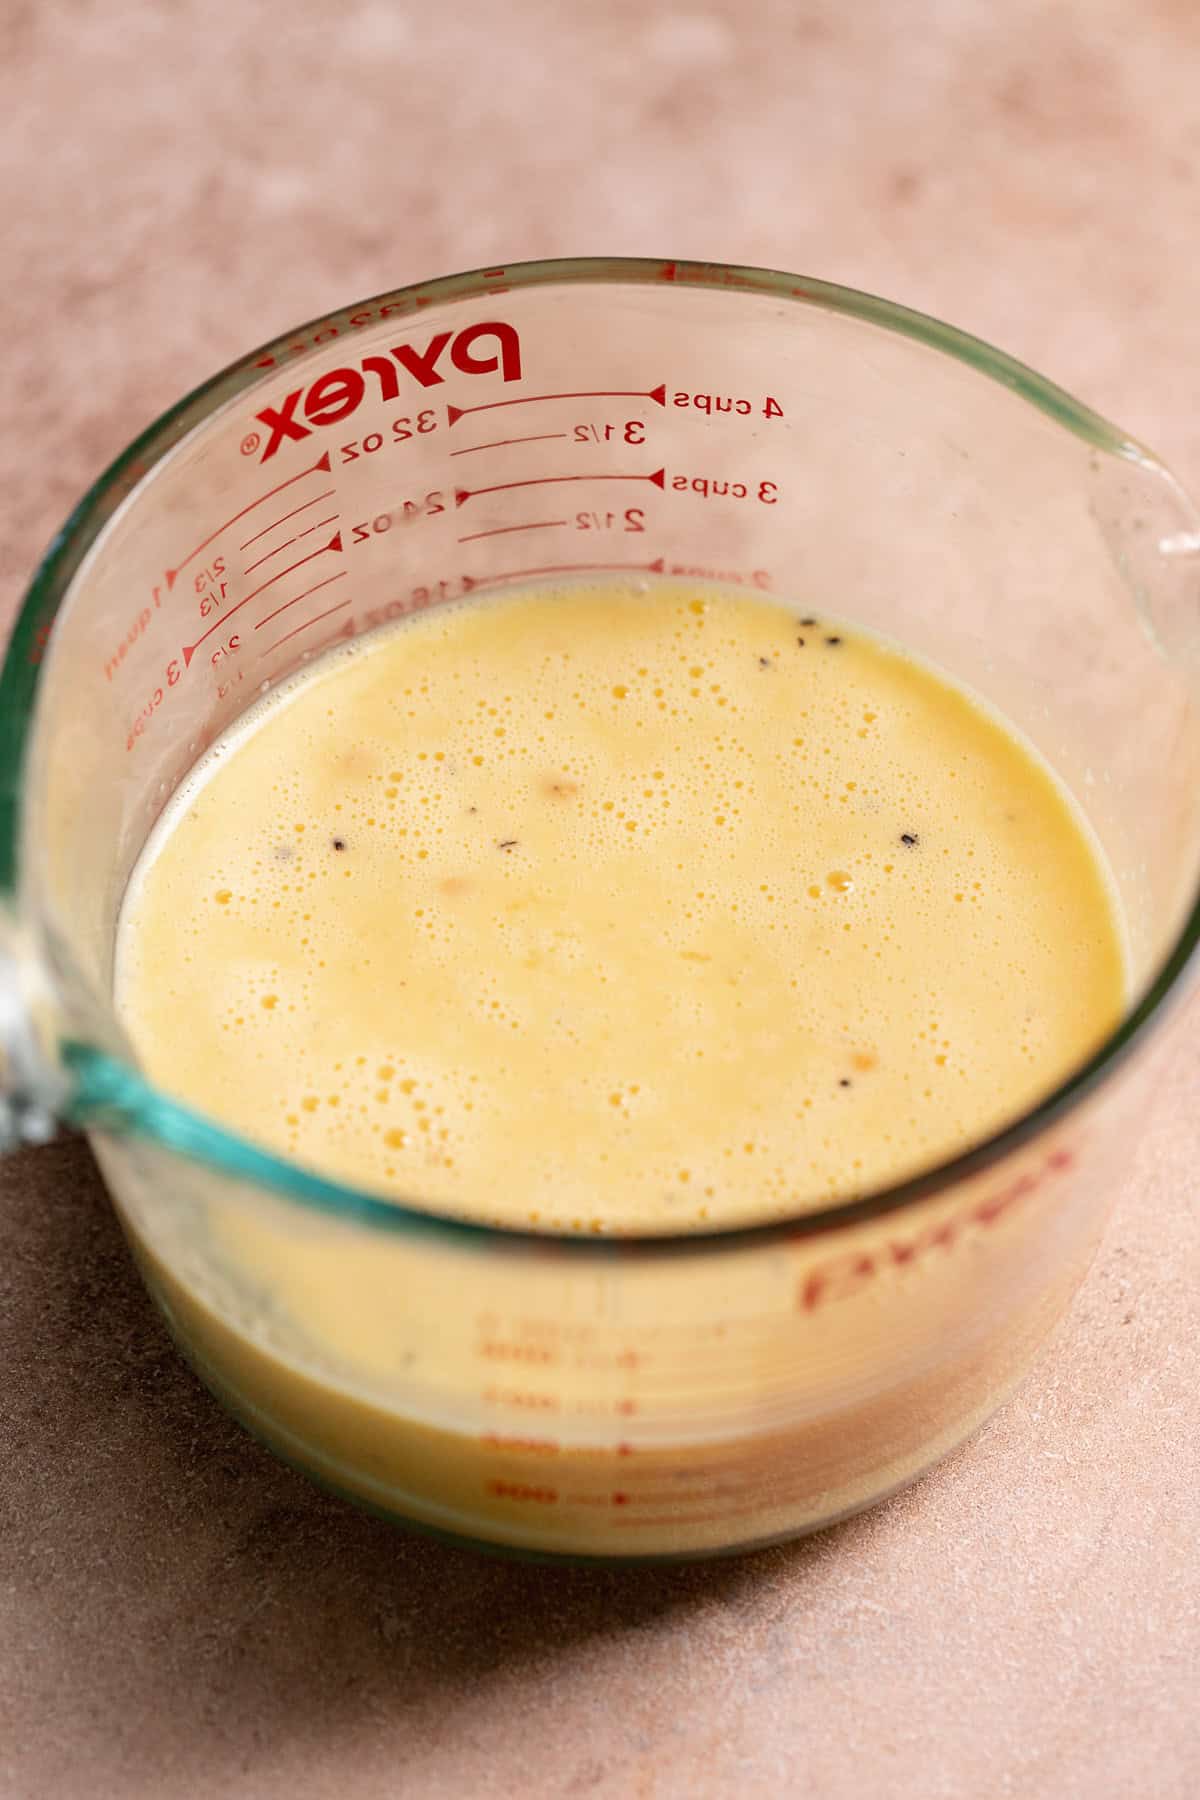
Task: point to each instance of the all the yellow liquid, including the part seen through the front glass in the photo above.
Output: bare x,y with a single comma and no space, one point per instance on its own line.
614,910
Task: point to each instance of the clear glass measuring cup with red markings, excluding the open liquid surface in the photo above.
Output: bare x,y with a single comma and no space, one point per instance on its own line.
640,1398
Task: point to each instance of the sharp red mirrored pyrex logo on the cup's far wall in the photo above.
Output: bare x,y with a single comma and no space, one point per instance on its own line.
339,393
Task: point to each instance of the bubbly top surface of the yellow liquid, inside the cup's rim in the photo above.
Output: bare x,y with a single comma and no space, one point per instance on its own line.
620,910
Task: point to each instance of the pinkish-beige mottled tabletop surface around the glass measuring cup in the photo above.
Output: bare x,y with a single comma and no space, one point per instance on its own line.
183,1617
